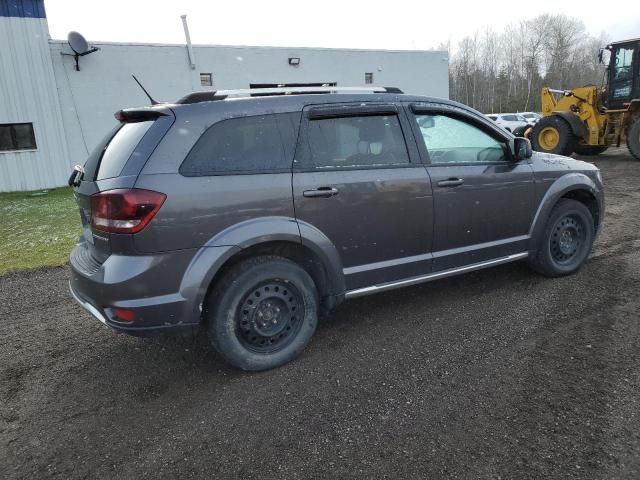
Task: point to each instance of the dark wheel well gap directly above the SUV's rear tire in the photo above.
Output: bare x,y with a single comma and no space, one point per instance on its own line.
296,252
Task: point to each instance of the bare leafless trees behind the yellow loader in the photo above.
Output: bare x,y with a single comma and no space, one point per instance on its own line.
504,71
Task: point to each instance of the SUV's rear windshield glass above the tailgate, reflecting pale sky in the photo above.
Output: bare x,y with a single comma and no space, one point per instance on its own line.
120,148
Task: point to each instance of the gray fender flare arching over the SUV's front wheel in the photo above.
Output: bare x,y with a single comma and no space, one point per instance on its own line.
562,186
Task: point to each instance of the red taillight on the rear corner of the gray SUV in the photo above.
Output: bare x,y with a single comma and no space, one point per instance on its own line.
124,210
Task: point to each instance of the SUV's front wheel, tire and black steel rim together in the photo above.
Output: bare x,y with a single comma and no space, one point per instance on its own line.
566,241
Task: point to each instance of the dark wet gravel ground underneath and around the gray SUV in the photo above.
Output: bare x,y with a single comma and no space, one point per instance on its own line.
497,374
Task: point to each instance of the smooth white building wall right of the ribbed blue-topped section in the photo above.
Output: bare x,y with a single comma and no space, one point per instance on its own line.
90,97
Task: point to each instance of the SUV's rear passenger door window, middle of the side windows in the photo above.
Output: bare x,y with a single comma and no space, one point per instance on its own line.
367,141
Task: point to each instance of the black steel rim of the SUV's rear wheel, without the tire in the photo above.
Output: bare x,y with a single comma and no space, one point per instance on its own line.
269,316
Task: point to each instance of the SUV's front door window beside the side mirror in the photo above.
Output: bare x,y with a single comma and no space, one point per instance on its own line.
449,140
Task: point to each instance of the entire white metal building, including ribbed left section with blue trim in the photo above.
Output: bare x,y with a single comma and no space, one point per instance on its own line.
51,115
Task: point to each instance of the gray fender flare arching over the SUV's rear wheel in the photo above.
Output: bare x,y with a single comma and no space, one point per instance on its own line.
210,258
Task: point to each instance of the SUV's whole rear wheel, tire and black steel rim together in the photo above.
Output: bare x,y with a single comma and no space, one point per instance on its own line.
262,313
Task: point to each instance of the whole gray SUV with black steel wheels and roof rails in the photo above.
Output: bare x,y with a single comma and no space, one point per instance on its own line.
247,213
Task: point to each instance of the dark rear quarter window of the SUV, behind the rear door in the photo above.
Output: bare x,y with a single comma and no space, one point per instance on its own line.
238,145
